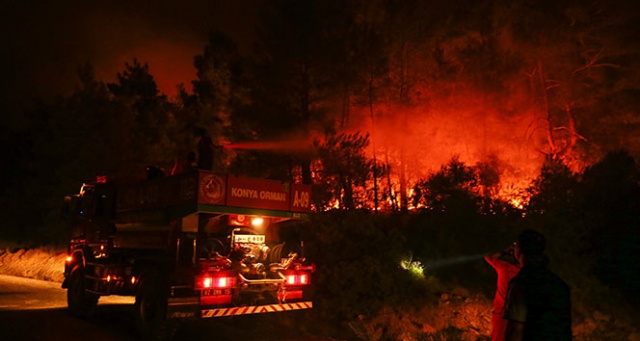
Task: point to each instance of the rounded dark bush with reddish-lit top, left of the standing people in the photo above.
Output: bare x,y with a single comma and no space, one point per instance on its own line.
456,224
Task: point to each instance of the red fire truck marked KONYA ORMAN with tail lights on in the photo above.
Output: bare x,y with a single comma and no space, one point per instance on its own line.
193,245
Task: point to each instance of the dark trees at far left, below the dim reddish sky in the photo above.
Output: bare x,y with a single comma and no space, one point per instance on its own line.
115,130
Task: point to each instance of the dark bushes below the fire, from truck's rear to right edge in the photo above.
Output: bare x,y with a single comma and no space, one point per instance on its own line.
590,227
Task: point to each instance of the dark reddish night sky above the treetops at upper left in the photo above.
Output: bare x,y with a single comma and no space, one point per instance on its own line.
44,42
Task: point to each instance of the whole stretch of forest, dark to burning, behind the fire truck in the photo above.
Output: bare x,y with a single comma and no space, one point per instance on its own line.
365,100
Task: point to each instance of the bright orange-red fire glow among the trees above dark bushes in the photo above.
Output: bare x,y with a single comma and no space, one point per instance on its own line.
416,141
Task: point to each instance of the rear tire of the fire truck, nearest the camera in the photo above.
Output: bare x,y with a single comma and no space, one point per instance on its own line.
151,311
